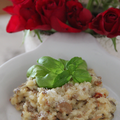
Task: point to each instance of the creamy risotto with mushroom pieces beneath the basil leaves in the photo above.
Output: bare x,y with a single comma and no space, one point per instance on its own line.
84,101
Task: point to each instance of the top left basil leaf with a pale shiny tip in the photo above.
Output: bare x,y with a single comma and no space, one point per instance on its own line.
51,64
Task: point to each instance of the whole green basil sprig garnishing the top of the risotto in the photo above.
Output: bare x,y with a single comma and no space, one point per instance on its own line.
52,73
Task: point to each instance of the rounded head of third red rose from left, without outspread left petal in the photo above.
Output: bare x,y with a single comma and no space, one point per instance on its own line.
78,17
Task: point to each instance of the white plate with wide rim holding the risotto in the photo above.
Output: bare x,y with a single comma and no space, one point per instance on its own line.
59,45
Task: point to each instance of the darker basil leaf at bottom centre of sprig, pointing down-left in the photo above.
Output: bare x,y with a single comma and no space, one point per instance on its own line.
61,79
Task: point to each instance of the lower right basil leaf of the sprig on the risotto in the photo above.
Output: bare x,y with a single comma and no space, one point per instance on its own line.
81,75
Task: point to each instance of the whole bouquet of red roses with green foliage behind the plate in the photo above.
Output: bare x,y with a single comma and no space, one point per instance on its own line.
98,17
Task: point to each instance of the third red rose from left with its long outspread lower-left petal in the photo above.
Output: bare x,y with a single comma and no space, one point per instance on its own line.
77,16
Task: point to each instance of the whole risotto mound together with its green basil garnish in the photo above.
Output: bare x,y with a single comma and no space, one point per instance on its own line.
58,89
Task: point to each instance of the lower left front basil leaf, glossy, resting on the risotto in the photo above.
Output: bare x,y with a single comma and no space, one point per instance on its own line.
46,81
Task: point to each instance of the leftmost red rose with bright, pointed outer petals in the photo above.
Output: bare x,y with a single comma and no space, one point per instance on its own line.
24,16
